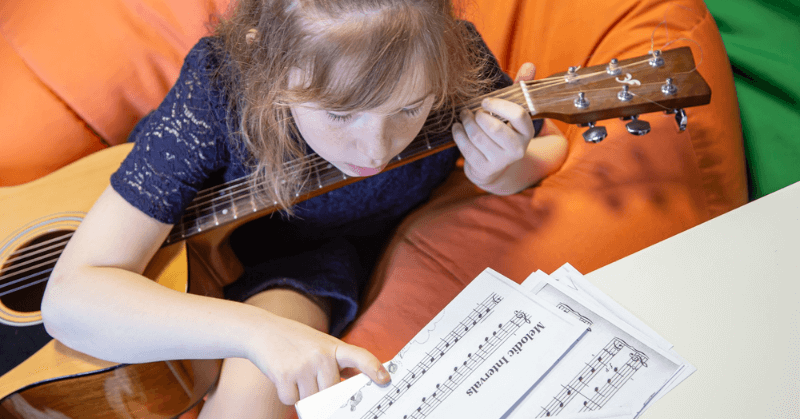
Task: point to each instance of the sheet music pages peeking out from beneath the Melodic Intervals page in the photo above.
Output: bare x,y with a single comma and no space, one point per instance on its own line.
613,365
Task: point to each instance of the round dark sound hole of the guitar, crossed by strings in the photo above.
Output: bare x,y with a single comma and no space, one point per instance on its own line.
24,276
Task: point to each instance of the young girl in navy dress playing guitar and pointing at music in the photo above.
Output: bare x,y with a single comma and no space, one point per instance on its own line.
352,81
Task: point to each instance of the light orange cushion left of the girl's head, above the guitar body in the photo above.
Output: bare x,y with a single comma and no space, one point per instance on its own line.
87,70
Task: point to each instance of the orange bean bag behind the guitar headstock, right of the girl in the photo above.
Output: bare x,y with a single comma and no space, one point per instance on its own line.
607,201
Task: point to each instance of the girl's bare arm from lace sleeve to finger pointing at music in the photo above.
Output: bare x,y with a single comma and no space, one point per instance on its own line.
97,302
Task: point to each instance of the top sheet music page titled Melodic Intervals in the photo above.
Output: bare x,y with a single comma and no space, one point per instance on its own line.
477,358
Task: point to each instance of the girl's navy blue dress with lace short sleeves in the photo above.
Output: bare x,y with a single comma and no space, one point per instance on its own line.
327,250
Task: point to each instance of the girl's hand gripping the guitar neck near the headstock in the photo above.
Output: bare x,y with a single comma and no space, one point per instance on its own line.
490,146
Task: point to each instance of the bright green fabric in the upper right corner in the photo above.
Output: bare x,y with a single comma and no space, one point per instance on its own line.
763,43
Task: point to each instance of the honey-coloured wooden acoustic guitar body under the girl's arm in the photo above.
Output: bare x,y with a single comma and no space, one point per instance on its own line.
42,378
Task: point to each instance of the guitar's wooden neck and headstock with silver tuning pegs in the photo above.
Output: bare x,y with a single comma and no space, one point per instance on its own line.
650,83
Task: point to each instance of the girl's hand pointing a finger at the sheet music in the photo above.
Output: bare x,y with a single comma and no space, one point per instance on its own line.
301,360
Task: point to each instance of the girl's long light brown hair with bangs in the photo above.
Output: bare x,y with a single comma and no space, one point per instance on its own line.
372,41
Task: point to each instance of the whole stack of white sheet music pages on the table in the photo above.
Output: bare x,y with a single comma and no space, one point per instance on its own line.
553,346
